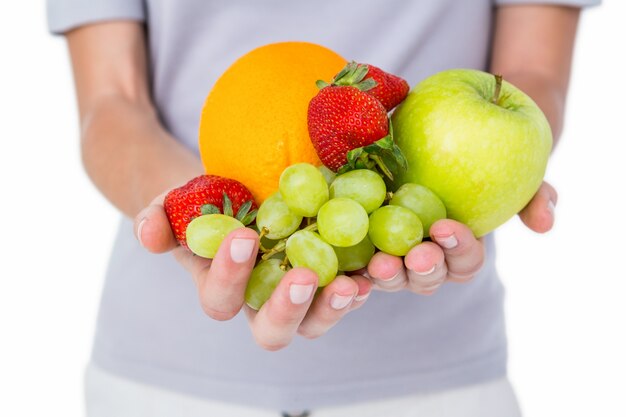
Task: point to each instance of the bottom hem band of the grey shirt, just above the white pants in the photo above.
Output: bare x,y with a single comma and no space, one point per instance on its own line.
483,368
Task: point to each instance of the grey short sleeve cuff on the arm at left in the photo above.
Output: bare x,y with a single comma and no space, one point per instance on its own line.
64,15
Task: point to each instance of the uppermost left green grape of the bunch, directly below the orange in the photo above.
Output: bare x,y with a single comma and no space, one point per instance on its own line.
303,188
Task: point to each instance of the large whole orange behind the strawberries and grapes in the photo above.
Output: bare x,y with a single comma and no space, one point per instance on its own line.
254,121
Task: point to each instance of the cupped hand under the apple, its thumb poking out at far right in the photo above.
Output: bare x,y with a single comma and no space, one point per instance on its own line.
453,254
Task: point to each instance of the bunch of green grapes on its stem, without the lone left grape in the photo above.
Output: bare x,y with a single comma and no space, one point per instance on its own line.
335,223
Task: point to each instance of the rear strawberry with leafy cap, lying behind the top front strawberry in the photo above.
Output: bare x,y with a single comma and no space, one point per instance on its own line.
389,89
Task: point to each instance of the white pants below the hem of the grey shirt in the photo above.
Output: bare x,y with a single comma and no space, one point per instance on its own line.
108,395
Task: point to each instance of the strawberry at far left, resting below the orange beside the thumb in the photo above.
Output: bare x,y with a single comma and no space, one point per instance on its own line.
207,194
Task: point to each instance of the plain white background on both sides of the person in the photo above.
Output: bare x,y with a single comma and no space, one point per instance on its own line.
566,298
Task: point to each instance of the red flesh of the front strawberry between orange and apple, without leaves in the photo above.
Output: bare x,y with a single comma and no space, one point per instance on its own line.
343,118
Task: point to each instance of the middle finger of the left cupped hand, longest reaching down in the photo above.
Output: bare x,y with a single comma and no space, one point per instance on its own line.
276,323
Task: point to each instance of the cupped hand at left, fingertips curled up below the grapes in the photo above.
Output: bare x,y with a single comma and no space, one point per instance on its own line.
294,307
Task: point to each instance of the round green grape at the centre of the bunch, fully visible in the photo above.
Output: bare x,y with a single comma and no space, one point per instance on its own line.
342,222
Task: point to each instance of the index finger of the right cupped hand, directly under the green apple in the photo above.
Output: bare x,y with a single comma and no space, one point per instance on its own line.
464,254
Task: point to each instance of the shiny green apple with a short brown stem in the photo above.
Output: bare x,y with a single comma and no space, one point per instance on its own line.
478,142
